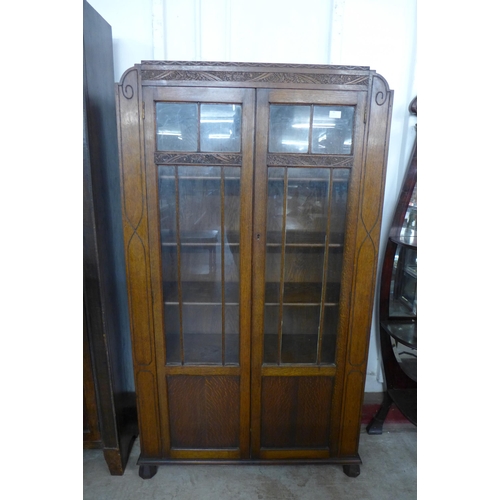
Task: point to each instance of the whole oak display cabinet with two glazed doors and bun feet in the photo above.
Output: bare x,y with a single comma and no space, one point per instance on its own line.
252,199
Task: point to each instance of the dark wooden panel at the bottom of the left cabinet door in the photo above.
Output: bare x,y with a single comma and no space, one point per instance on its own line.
204,411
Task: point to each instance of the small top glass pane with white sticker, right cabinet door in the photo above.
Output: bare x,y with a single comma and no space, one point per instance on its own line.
332,129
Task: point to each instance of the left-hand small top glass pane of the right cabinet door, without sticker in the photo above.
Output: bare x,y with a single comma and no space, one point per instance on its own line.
289,129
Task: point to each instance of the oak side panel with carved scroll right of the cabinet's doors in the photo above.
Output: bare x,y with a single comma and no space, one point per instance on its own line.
365,262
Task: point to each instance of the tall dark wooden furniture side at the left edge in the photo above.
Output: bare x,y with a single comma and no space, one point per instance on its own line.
104,291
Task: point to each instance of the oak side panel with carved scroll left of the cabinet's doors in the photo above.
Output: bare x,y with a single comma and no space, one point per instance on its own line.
137,251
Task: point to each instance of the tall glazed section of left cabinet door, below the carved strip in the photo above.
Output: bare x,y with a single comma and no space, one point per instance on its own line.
199,219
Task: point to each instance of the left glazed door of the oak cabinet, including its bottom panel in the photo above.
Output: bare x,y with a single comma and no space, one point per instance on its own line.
199,169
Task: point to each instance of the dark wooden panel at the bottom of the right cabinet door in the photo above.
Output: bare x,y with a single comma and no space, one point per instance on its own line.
296,412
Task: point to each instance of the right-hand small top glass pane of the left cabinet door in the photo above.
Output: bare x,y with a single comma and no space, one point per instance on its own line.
220,127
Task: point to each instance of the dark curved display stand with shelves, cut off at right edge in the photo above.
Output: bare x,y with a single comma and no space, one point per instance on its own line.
398,304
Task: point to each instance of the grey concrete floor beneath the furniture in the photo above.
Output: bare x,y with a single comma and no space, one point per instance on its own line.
389,471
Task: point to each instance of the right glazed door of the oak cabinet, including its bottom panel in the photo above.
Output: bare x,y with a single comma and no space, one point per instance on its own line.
307,164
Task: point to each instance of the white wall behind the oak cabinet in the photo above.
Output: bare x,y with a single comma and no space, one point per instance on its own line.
376,33
